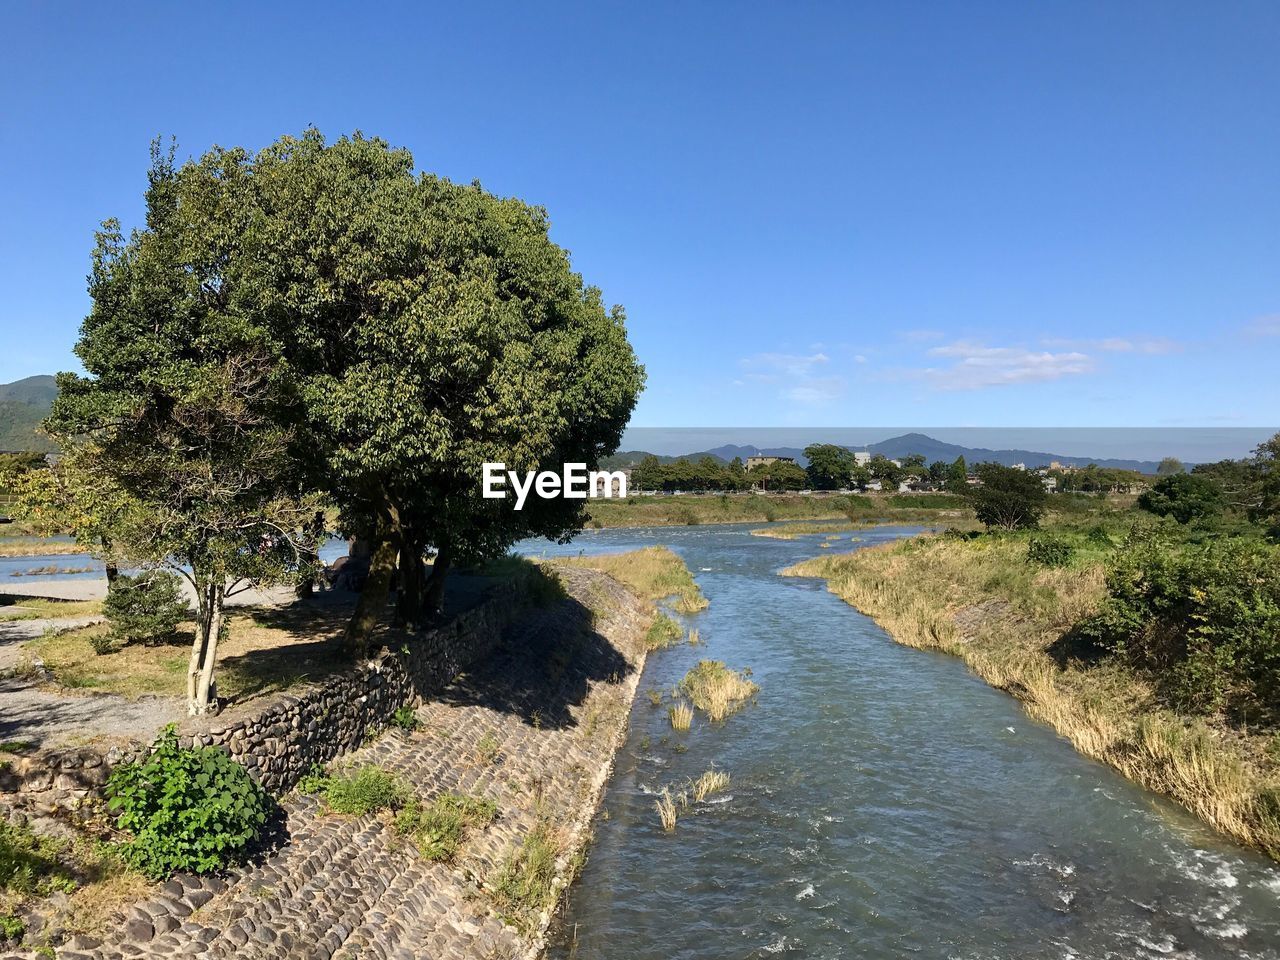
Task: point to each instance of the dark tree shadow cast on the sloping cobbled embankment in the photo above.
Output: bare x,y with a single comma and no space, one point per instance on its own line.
545,666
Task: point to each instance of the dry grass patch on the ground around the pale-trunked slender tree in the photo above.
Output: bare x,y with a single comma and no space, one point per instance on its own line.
266,651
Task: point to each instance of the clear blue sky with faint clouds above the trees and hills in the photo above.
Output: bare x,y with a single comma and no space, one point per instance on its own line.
816,214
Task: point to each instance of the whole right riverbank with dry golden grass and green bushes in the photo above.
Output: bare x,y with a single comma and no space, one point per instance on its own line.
1151,641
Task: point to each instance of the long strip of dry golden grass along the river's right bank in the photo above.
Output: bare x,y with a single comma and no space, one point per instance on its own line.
982,602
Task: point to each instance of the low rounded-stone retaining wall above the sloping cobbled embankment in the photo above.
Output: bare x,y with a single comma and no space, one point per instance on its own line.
286,735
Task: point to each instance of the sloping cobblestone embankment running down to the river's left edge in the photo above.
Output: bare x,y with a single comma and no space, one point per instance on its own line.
533,726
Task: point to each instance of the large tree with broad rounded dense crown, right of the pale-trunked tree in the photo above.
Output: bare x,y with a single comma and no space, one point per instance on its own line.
437,328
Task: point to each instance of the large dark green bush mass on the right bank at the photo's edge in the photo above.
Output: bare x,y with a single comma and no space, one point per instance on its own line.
1206,620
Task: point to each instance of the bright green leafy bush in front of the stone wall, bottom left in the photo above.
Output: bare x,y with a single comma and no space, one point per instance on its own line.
189,810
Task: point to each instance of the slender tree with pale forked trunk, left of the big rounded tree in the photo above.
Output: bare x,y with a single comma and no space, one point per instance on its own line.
184,412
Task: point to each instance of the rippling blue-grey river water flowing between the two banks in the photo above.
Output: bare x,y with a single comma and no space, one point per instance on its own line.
884,804
